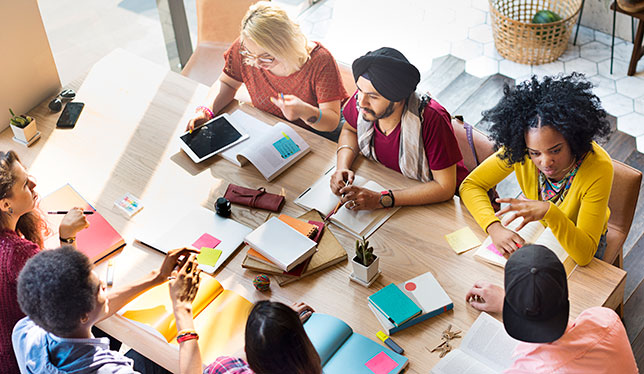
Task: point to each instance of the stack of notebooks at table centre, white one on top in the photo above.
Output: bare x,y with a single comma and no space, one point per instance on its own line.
293,265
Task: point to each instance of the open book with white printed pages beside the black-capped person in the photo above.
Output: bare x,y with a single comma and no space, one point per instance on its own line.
486,349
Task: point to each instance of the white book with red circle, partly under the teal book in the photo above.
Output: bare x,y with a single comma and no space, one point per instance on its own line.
425,291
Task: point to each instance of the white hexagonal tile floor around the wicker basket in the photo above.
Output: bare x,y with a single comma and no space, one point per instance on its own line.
423,30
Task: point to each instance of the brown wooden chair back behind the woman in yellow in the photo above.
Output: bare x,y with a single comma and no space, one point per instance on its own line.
622,203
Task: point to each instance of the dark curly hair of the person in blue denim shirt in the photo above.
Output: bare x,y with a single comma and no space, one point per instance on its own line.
55,290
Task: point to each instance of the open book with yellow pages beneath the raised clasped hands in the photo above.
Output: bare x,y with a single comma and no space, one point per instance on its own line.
220,316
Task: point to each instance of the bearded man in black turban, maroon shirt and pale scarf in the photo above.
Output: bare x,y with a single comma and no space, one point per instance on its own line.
389,122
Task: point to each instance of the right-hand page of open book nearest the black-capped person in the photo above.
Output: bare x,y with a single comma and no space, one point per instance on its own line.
488,342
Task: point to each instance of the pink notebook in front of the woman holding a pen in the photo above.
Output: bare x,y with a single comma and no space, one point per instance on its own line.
96,241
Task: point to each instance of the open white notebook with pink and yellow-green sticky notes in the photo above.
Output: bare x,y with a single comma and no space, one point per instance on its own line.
191,227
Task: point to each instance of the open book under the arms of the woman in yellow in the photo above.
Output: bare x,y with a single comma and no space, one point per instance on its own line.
533,233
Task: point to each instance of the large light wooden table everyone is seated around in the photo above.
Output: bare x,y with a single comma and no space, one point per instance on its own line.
126,141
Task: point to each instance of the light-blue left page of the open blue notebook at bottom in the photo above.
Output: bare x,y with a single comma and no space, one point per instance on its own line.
327,333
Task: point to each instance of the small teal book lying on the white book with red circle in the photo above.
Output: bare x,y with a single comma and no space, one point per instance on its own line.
397,307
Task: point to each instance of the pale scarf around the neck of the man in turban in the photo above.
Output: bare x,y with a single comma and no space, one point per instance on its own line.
412,158
